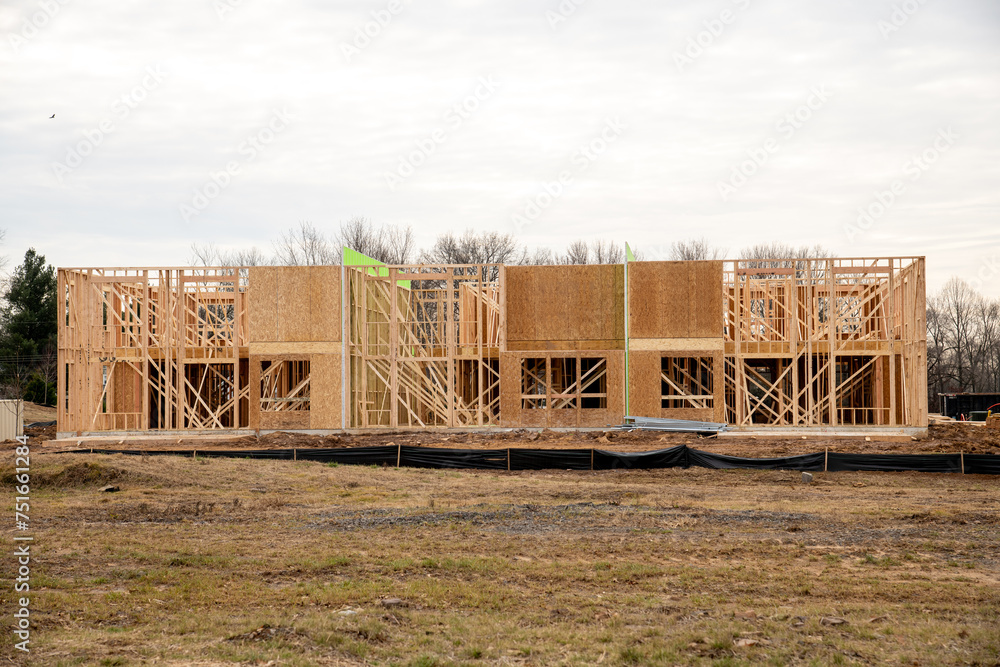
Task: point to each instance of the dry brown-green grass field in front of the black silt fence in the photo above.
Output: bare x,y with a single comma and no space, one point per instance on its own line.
219,562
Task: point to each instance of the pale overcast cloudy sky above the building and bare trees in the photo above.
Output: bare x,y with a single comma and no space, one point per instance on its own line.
869,127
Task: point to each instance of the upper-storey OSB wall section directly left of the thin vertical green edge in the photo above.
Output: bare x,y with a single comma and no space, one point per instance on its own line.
565,303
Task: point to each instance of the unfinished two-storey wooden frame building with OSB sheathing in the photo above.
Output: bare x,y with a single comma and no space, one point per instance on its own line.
776,343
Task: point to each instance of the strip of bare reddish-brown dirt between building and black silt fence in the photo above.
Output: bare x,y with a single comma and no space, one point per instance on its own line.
946,438
